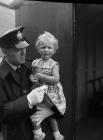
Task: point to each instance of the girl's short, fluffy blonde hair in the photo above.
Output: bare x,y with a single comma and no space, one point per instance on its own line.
47,39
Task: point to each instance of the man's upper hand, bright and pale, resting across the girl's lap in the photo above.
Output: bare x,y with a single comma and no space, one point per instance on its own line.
36,95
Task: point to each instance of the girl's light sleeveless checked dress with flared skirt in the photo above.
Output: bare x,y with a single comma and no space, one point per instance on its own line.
55,91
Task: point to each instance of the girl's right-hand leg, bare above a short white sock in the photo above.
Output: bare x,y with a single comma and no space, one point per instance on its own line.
55,130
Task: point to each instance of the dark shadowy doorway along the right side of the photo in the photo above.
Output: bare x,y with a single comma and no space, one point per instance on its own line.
89,71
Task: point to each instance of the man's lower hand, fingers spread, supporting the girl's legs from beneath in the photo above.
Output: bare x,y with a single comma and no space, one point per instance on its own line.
41,114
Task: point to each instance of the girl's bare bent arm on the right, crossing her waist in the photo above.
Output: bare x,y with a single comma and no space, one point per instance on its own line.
50,79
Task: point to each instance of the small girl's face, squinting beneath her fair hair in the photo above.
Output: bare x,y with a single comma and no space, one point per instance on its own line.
46,51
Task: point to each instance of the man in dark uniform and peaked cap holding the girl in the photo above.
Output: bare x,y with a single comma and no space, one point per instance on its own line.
17,103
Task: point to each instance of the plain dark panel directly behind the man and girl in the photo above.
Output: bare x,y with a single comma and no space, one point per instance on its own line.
57,19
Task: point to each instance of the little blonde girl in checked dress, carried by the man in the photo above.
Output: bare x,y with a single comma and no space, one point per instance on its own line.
46,71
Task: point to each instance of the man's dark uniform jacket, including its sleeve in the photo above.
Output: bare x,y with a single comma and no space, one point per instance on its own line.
14,109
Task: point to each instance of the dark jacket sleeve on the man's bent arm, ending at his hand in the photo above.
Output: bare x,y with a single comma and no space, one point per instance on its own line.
14,110
